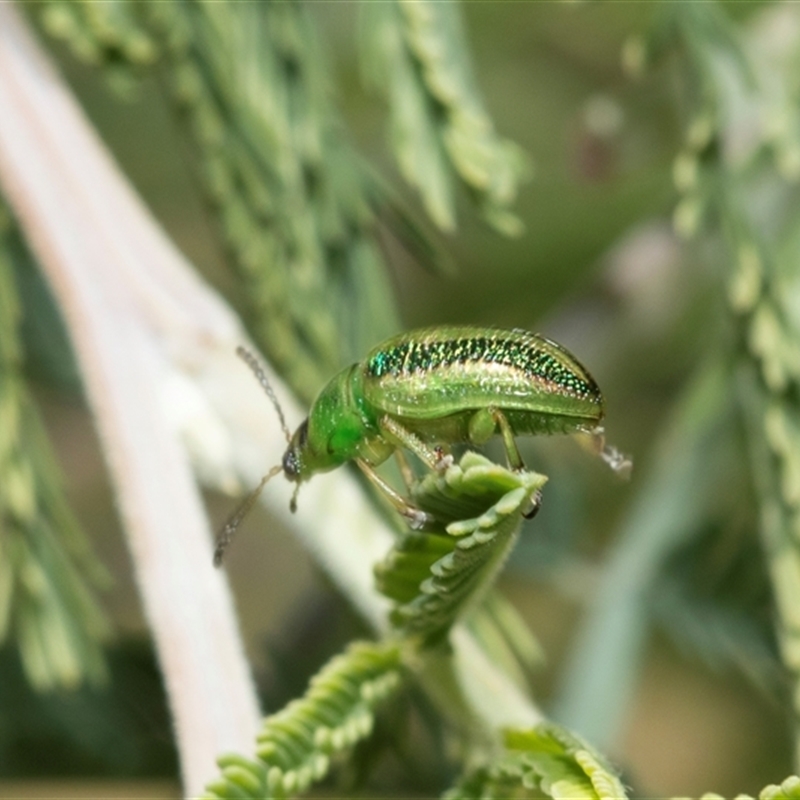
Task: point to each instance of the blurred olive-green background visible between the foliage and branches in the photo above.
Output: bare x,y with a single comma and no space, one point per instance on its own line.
598,268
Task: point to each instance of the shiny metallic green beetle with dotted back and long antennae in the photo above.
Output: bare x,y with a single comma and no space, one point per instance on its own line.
423,390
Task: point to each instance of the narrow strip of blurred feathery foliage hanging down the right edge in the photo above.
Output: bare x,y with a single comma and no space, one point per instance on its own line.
735,189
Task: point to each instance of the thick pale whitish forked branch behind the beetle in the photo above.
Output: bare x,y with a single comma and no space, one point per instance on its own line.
156,348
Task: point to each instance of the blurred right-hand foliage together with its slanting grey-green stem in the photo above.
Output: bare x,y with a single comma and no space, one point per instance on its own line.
737,176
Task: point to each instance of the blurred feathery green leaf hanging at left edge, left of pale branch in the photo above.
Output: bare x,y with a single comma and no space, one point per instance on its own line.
46,566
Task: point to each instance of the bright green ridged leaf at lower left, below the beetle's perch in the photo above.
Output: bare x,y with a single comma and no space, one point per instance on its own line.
295,746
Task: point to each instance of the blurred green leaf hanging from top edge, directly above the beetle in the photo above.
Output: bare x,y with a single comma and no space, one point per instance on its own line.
414,52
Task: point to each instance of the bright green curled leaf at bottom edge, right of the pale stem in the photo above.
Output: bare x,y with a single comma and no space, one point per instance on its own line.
546,761
